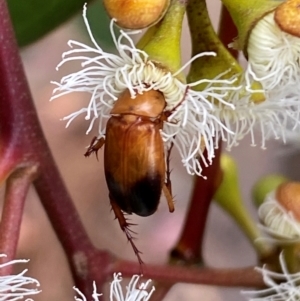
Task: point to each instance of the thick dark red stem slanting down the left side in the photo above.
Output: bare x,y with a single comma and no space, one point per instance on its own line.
23,142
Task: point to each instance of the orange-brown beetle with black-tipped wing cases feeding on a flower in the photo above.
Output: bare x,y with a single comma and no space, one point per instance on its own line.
134,158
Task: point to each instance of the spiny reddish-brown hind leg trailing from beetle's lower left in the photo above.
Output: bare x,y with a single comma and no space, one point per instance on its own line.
125,228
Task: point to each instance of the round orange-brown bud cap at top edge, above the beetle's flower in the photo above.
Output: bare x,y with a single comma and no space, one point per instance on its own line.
136,14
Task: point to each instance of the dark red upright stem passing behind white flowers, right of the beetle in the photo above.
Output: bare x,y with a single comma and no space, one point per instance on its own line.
189,246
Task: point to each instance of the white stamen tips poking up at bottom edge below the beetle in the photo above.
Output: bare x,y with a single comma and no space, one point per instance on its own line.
135,291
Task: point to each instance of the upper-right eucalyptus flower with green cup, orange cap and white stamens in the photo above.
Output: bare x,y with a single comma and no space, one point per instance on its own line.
273,70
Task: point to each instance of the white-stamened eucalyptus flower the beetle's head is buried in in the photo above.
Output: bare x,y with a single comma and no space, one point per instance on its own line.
106,75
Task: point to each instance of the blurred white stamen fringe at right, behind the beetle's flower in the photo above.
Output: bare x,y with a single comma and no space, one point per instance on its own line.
273,118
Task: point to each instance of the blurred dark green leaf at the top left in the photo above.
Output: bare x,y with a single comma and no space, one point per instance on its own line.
33,19
